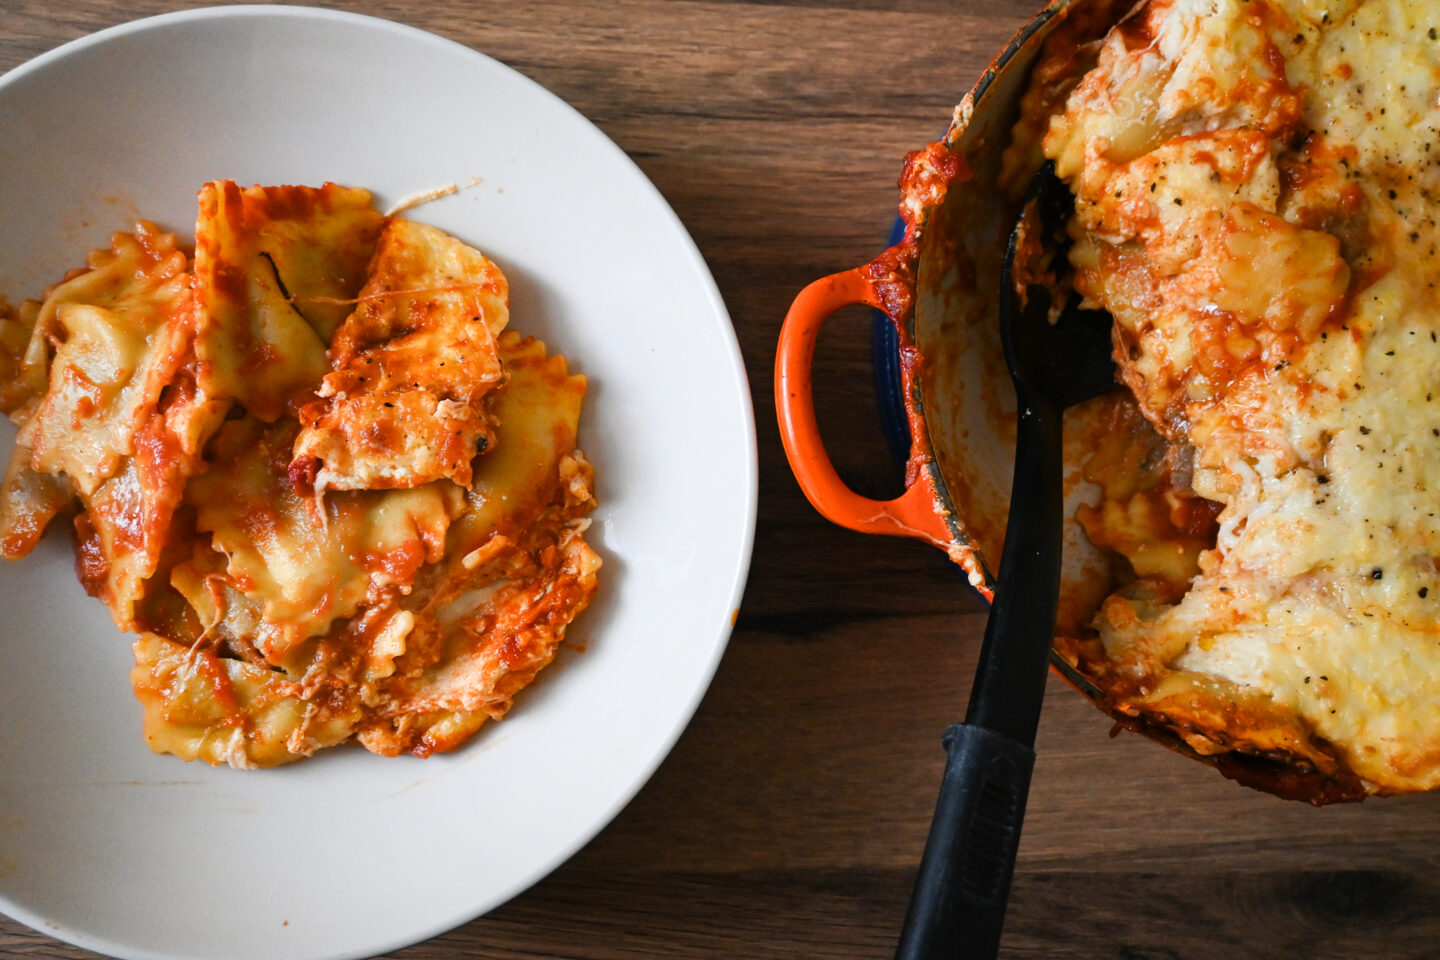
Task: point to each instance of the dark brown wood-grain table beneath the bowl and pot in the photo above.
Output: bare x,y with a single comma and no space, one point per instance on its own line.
790,818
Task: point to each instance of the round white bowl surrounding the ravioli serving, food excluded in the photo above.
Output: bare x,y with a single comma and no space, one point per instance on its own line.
348,854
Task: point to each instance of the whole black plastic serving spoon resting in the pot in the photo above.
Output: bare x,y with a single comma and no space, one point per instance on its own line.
958,906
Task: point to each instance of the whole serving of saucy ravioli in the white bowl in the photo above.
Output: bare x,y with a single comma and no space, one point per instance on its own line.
312,468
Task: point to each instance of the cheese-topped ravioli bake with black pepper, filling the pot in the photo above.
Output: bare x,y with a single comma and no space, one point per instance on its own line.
1258,185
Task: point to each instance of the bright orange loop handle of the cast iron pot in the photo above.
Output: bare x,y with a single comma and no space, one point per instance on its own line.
912,515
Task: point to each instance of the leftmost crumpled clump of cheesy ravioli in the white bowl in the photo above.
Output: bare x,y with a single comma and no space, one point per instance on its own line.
122,424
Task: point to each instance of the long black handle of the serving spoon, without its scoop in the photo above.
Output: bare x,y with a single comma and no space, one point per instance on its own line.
958,906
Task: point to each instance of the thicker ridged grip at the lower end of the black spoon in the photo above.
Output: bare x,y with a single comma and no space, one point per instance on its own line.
960,906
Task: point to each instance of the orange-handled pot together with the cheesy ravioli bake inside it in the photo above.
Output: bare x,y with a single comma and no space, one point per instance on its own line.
1252,536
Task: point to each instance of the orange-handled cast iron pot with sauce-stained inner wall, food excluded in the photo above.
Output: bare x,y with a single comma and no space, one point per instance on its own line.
940,287
